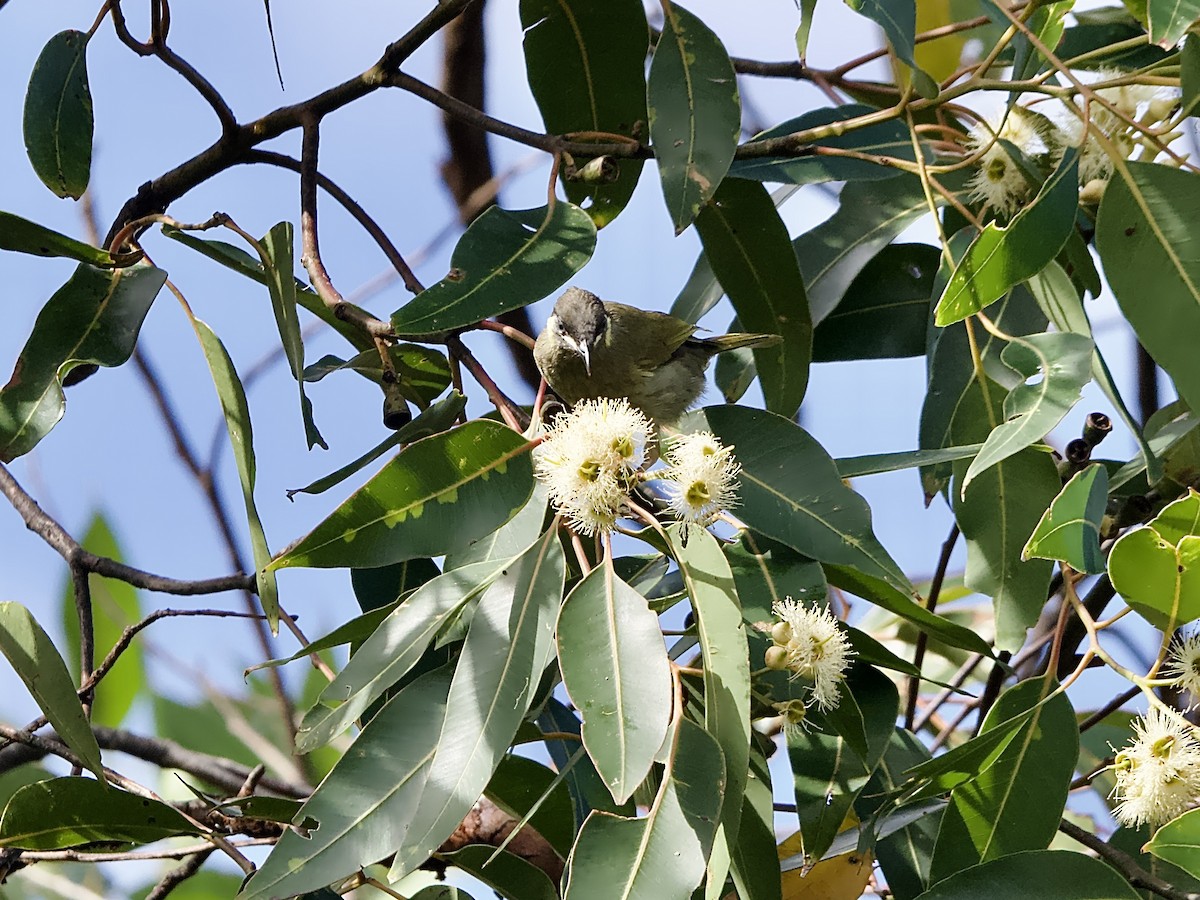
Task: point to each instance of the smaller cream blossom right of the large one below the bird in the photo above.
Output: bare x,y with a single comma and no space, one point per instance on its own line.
701,479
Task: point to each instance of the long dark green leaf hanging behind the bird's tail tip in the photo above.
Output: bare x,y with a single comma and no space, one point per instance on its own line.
748,248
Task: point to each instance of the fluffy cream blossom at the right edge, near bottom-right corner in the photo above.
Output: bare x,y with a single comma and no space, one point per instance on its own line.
1159,773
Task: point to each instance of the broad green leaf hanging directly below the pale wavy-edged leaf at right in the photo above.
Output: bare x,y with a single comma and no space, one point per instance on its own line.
998,515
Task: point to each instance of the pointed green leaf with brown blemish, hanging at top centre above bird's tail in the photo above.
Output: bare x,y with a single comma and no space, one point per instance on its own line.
695,113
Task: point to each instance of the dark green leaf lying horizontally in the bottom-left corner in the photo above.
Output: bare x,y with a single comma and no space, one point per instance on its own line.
73,812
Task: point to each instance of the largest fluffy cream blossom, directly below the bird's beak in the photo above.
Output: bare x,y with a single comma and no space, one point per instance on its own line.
590,461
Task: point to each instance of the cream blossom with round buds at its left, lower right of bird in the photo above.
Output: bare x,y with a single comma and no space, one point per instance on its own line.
814,647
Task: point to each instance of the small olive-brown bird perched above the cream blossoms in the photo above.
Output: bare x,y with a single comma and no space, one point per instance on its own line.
595,349
